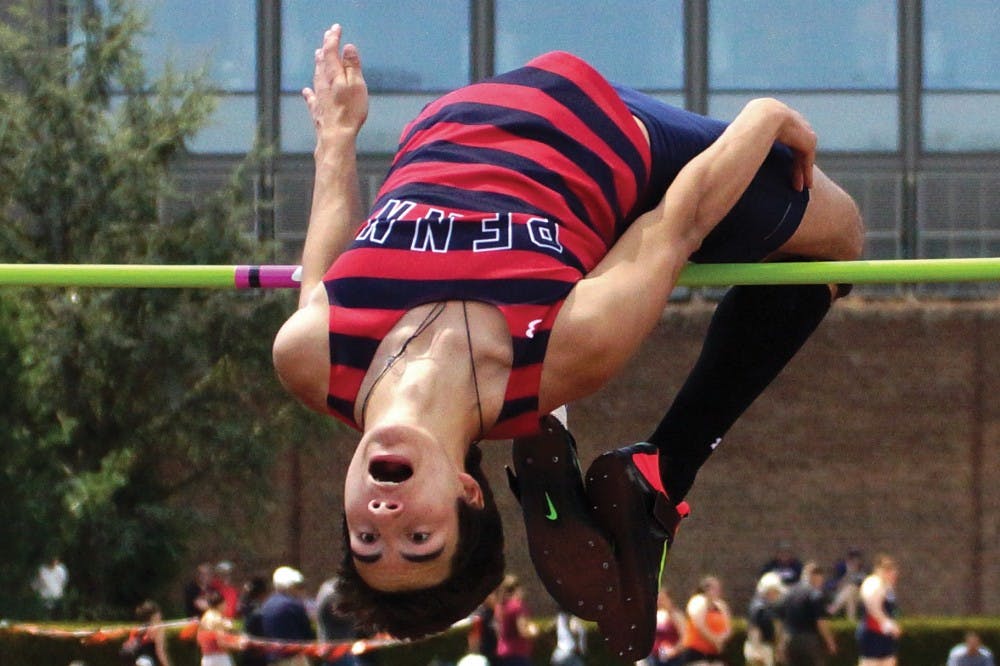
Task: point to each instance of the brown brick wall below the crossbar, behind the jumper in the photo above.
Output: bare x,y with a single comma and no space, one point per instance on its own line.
884,433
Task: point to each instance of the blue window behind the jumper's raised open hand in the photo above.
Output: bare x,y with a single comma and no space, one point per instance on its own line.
411,51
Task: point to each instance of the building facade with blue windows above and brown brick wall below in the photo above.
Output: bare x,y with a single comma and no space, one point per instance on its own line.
905,97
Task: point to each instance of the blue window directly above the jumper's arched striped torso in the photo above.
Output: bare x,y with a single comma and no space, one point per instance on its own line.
641,46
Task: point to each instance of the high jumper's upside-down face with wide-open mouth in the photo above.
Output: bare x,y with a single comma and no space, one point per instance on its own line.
400,497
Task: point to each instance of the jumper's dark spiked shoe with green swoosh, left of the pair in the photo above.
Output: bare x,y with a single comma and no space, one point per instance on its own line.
571,554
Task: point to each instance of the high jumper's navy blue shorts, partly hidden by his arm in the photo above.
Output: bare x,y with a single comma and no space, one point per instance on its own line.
762,220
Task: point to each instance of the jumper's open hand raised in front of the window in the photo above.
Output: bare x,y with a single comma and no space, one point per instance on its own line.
338,100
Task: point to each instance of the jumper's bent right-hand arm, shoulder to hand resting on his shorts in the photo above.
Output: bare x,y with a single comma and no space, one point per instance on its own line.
610,312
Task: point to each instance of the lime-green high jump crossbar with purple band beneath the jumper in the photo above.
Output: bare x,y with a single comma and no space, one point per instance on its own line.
885,271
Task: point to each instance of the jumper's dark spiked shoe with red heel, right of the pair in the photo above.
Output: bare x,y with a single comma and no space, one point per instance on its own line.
641,521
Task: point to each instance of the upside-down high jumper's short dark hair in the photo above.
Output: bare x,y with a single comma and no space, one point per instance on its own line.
476,569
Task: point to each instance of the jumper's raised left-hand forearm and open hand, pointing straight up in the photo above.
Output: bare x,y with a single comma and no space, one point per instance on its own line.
338,104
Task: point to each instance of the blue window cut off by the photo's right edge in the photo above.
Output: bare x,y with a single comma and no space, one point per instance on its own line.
961,109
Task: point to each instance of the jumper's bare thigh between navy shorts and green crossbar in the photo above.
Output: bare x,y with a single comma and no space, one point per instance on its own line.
831,227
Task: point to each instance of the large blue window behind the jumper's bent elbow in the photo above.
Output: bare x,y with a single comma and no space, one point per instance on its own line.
836,62
